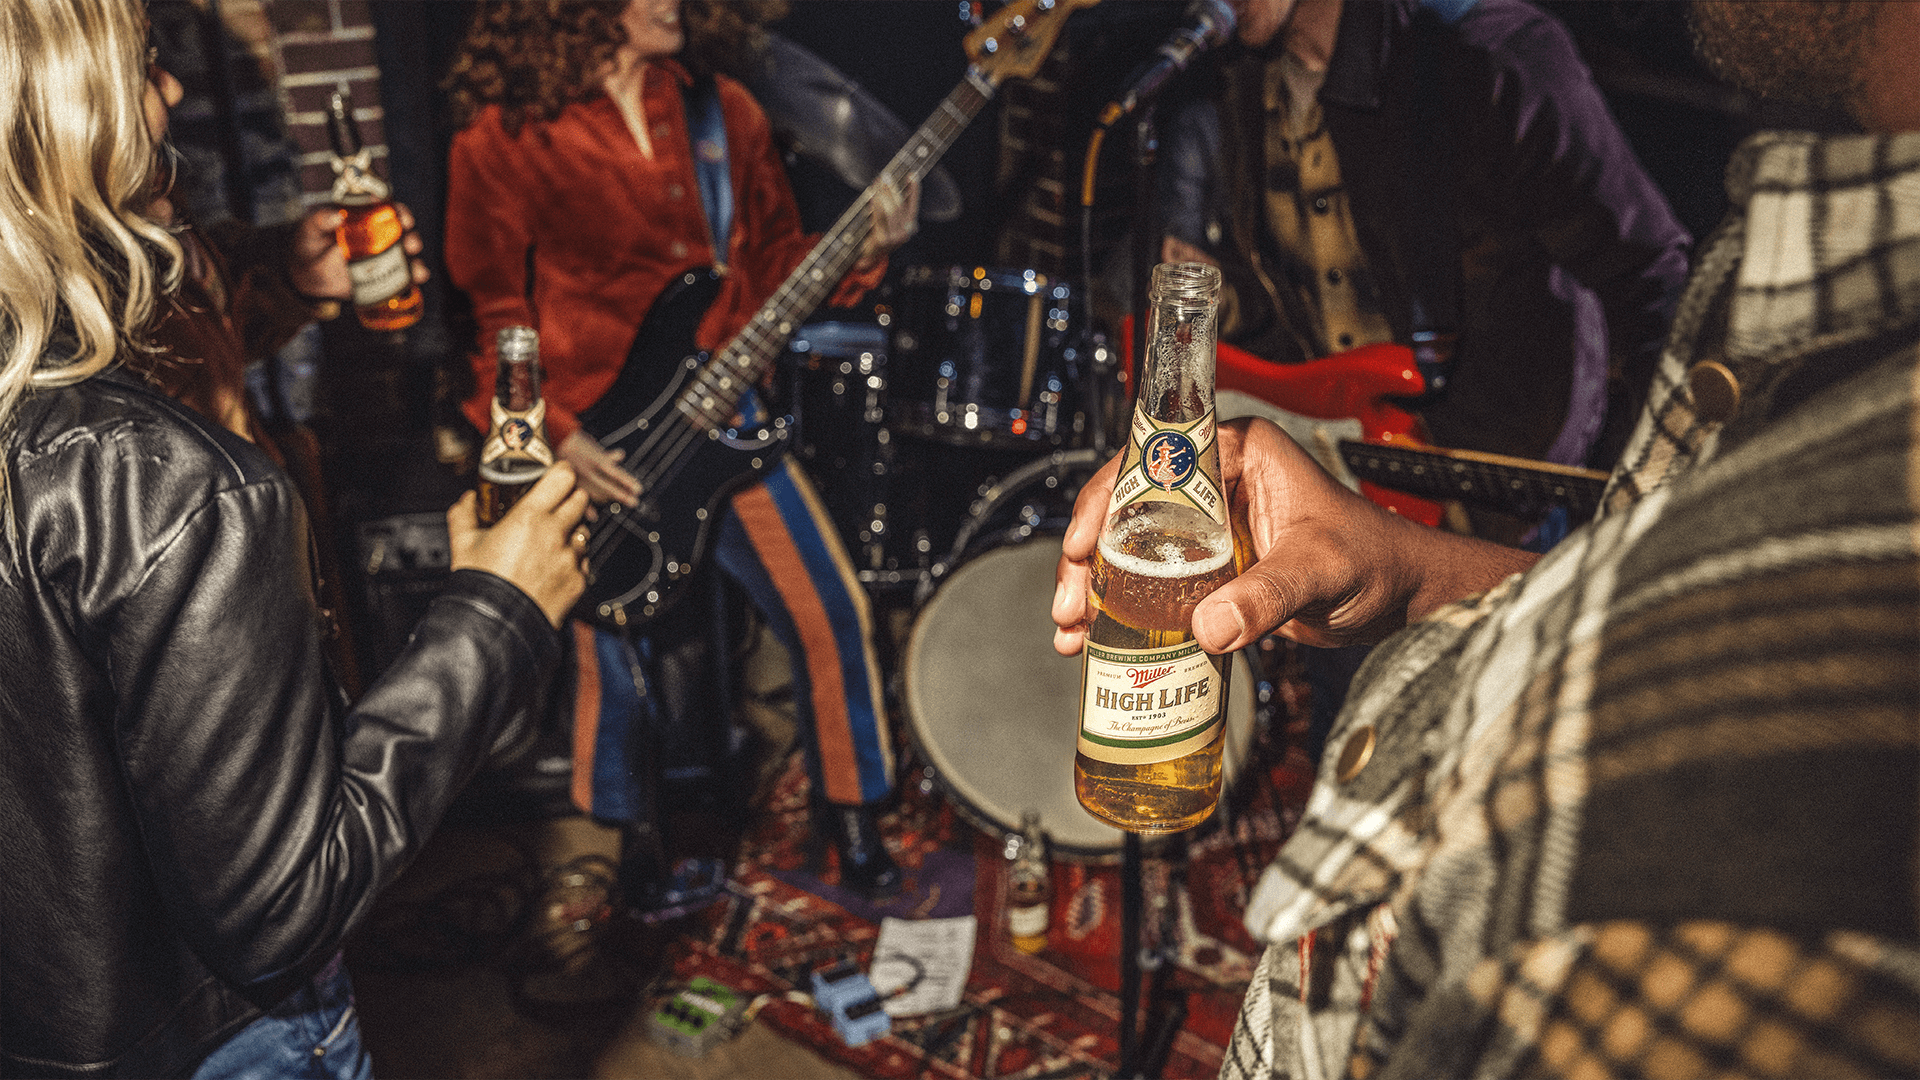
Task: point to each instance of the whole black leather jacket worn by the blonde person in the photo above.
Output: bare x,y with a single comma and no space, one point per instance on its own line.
191,816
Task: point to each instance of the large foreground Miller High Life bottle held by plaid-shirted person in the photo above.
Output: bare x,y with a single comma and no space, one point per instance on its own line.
1155,704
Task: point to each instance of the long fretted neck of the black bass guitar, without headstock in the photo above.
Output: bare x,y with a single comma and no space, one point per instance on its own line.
715,393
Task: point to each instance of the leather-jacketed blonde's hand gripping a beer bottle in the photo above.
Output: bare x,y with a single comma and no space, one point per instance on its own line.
537,547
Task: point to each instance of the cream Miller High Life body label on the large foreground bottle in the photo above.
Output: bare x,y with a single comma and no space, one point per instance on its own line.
1143,706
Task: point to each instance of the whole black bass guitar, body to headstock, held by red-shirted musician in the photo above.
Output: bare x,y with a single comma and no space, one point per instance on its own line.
673,408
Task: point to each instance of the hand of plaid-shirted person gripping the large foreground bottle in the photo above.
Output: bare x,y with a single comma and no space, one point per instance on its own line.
1332,570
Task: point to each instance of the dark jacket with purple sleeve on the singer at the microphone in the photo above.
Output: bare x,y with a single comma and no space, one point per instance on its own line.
1568,257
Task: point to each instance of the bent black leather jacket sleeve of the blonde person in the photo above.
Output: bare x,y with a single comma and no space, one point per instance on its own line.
270,814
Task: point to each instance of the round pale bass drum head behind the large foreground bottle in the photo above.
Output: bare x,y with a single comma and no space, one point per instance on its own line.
994,710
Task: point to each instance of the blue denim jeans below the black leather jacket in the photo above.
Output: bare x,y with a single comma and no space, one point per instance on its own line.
310,1037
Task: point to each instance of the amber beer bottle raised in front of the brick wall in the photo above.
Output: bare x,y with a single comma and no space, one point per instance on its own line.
385,295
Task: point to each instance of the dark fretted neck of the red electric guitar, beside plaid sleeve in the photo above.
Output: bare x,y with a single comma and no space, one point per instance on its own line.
1497,481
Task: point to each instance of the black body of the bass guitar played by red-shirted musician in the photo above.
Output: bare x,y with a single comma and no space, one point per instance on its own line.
640,558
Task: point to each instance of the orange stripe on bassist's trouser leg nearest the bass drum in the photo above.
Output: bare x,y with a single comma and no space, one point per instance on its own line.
840,768
